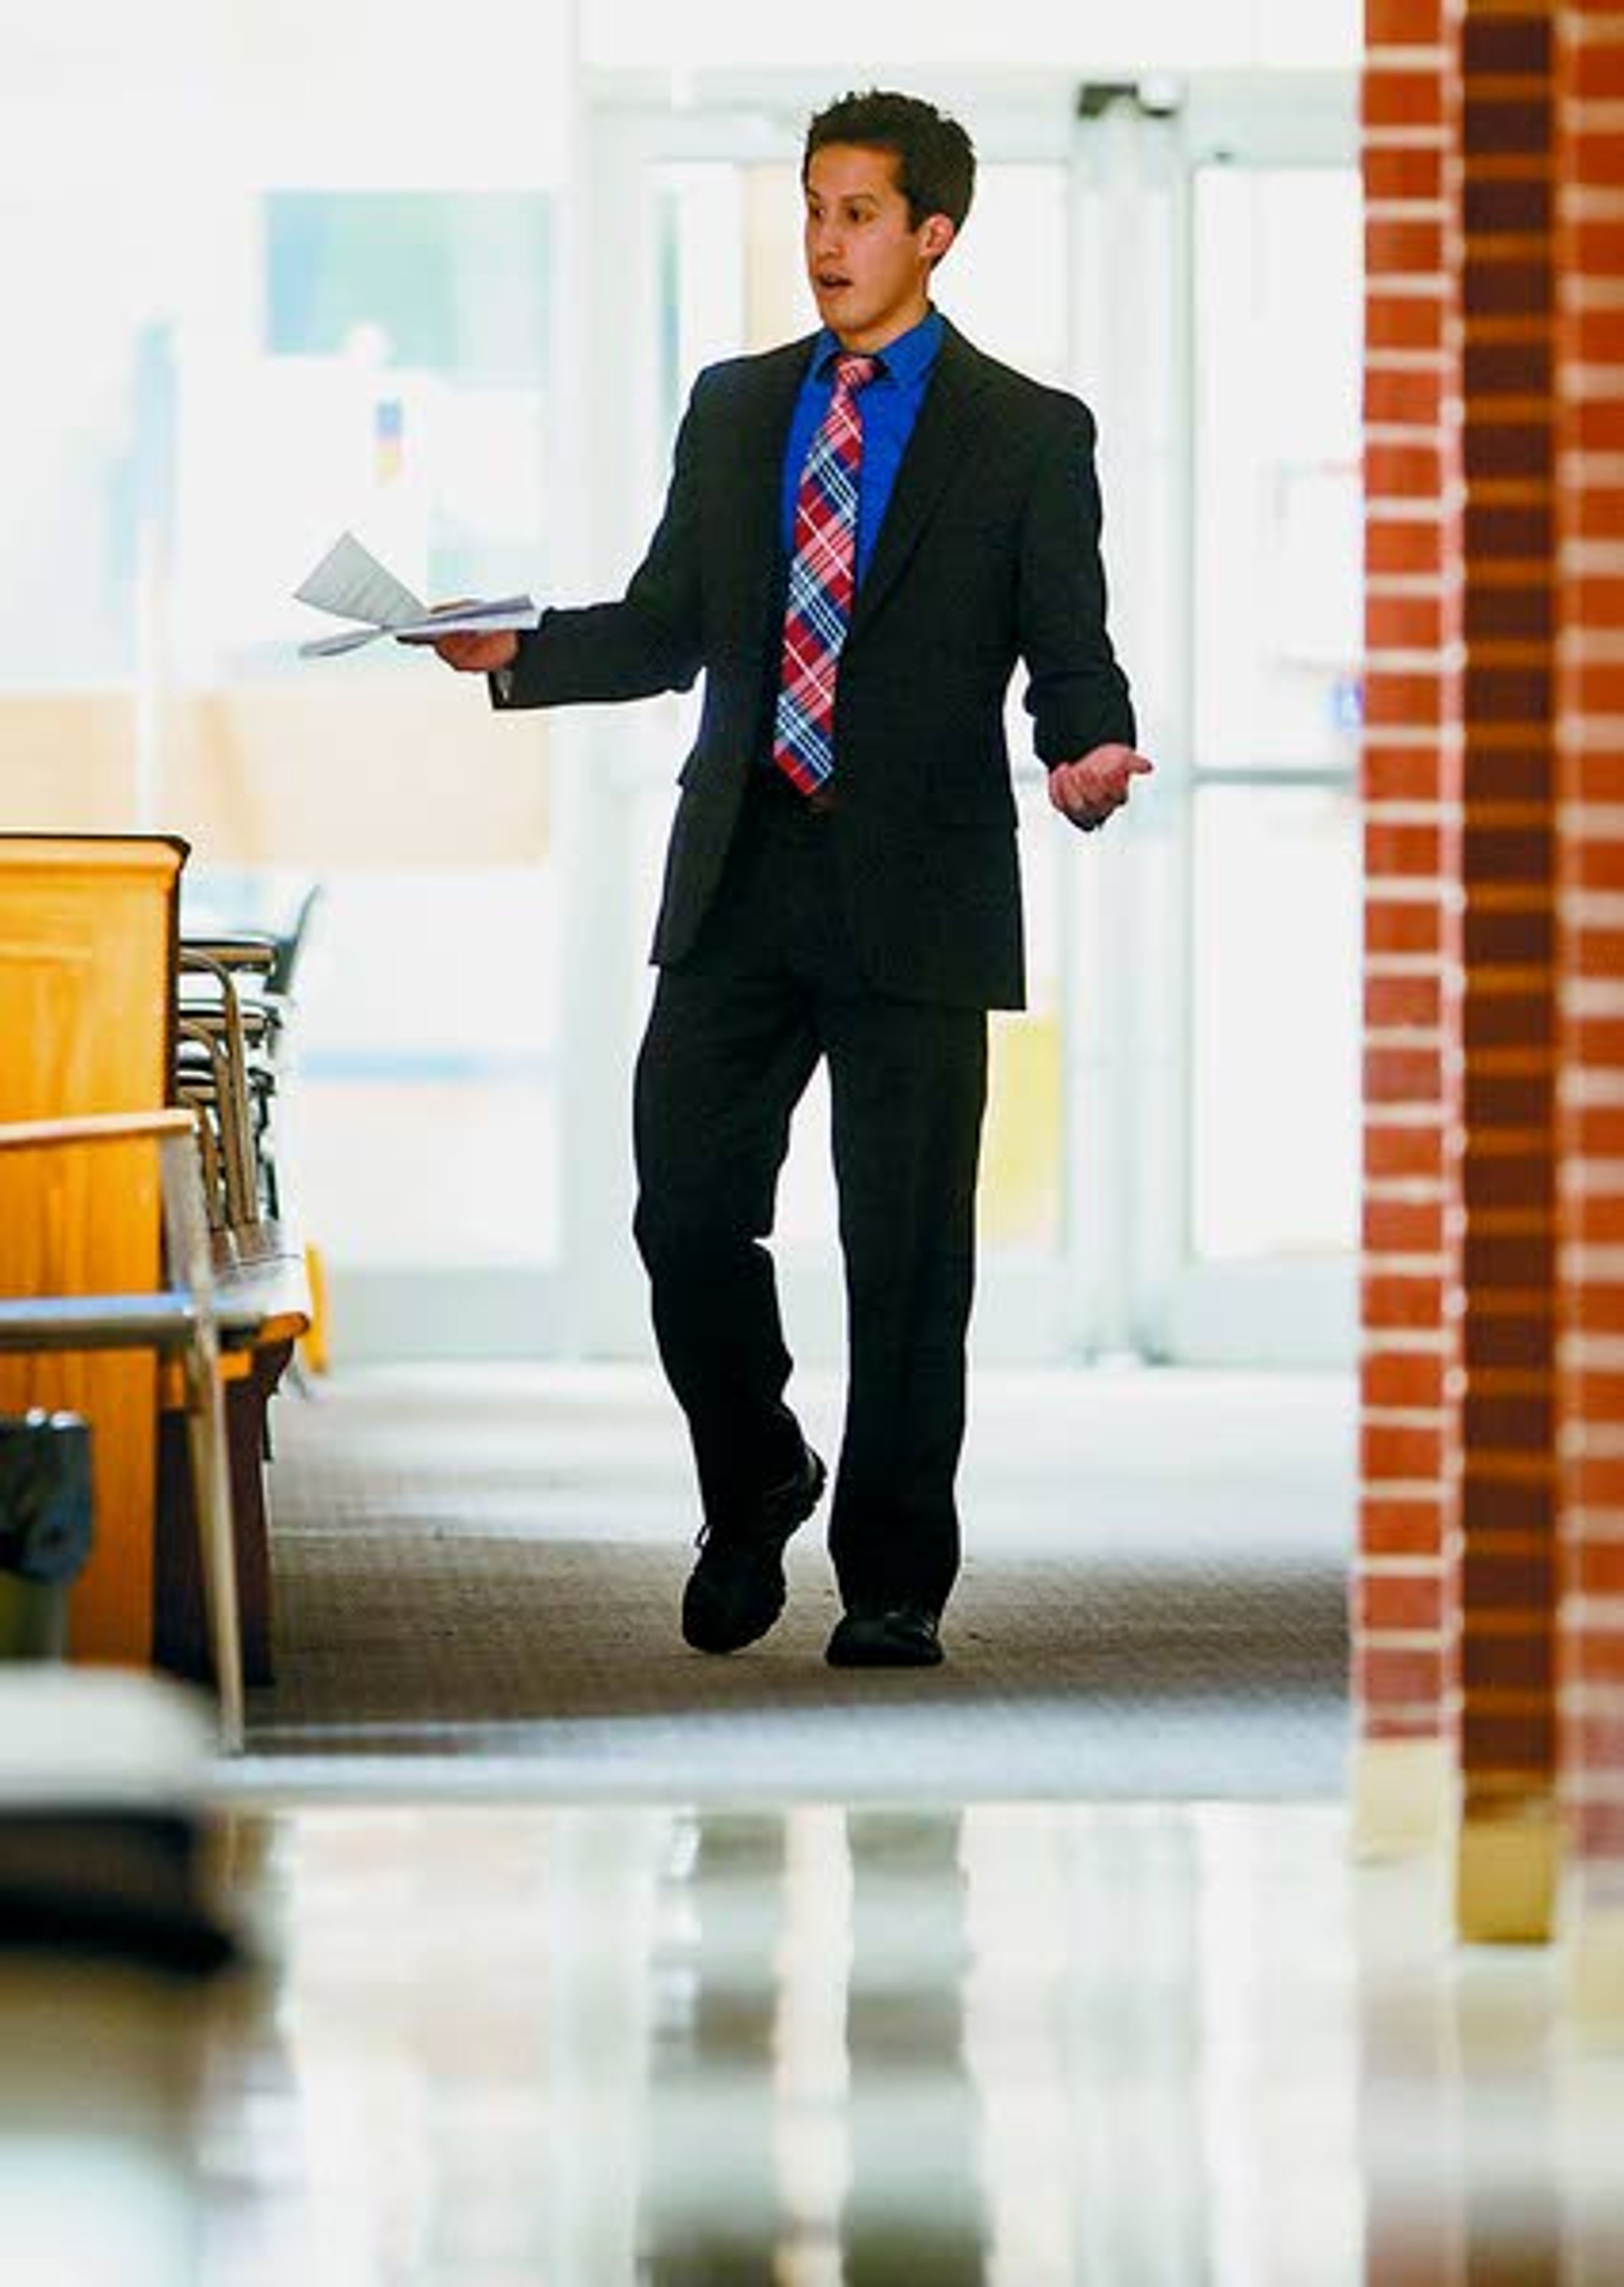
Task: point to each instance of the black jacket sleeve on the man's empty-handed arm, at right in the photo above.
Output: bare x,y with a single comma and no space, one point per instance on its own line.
1078,694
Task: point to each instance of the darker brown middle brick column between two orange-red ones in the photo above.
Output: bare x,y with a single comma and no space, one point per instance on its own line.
1502,1001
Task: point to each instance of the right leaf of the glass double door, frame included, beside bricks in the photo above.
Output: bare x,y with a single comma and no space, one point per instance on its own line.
1218,1017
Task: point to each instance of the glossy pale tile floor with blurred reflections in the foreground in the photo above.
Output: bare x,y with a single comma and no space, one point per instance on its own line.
1028,2046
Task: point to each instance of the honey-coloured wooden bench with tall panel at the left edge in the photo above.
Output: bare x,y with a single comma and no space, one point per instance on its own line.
90,1019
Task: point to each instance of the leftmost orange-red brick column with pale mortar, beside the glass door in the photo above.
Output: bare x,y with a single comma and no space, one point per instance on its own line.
1401,1771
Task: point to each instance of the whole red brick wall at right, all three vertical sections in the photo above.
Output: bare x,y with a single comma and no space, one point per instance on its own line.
1492,1538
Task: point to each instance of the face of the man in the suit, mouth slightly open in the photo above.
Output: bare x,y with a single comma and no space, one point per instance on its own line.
866,262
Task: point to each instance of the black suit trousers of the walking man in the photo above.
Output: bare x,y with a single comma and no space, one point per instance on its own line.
733,1039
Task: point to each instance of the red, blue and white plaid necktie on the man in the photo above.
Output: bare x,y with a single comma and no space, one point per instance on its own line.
822,577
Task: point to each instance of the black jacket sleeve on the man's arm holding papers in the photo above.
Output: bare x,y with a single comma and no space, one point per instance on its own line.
644,644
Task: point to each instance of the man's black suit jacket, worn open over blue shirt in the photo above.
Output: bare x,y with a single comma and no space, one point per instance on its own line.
989,555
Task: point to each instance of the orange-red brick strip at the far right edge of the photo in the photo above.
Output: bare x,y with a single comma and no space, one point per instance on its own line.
1591,916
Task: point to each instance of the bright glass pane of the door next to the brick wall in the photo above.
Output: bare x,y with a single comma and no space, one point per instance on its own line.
1275,808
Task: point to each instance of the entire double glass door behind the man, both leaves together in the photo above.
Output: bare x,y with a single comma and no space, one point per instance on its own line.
1149,1184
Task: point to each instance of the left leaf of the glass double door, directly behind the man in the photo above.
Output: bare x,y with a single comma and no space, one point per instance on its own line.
708,266
